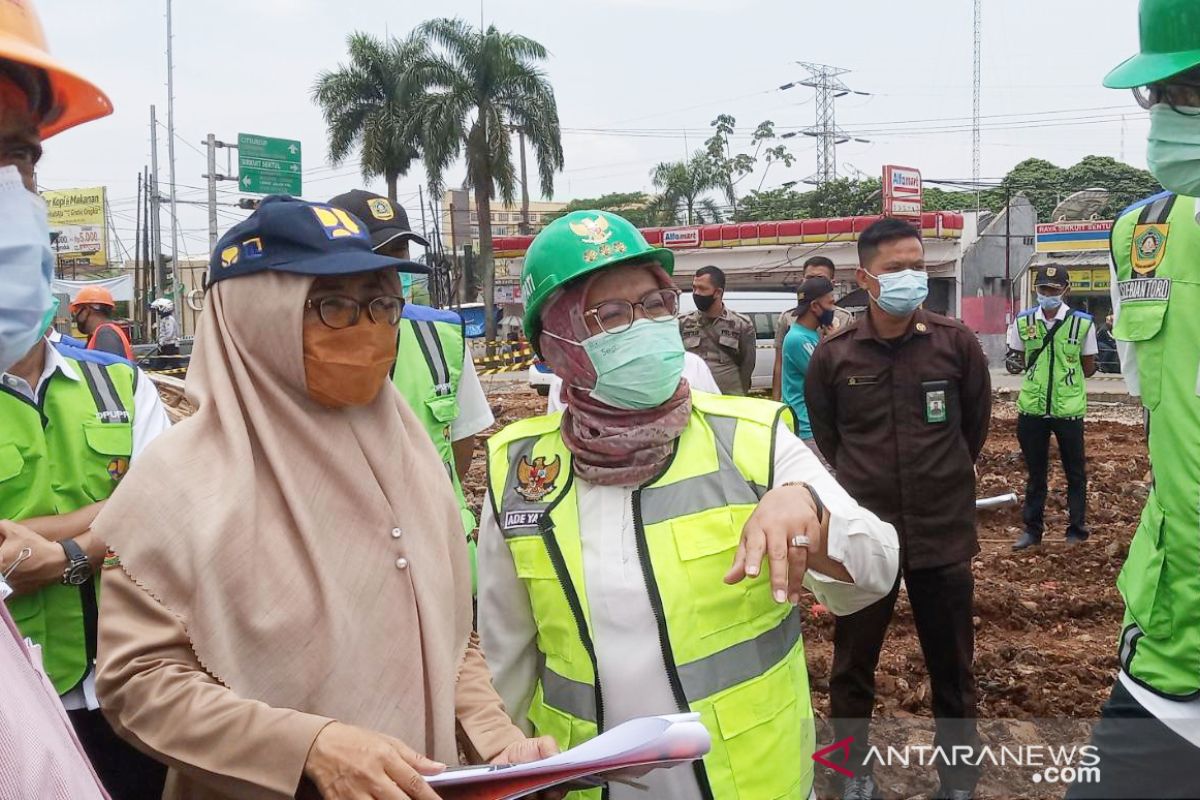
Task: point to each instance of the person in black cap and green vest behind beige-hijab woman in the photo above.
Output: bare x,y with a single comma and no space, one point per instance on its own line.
435,371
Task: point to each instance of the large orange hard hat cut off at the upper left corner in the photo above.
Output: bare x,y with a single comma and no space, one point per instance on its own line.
74,99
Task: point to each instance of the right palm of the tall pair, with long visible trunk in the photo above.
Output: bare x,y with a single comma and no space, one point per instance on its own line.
477,88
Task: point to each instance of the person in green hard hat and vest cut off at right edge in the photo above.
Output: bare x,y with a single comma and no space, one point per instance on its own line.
1149,736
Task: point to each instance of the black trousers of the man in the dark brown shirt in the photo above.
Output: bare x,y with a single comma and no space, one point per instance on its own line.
943,607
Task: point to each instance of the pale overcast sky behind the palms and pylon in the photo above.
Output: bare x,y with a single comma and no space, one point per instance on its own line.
638,82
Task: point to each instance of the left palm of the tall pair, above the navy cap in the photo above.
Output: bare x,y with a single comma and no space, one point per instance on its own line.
368,105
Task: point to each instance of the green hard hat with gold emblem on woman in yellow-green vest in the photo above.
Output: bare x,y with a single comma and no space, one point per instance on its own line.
577,245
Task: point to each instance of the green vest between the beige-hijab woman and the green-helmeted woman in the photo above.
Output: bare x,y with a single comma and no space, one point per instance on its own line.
435,340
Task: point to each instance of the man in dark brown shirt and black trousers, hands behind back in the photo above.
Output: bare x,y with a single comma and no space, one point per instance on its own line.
899,404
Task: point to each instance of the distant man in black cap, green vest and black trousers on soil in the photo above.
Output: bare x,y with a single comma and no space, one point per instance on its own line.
1060,350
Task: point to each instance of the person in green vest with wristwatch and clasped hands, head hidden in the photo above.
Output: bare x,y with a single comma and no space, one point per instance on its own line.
71,420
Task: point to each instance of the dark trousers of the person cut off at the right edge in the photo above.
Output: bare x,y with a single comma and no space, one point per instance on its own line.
1139,756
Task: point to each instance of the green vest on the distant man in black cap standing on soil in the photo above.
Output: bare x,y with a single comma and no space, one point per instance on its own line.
1055,386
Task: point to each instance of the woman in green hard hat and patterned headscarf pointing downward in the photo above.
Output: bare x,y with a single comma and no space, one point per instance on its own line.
623,544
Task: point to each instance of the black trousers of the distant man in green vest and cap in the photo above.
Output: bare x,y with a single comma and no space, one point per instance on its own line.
1034,435
